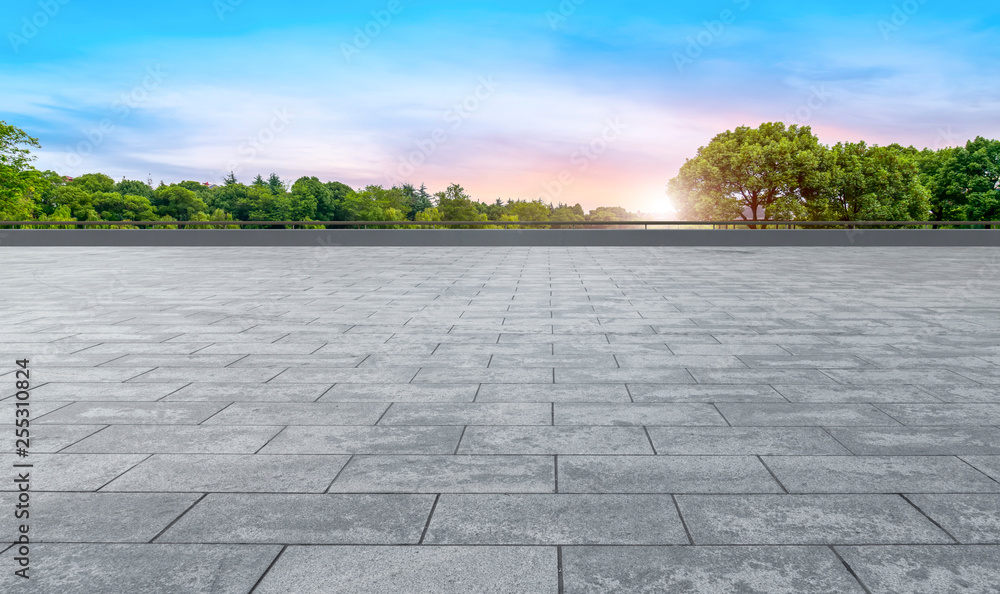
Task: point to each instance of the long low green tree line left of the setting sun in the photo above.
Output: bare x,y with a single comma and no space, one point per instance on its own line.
27,194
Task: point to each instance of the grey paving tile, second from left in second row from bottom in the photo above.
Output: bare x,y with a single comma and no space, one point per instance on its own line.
303,519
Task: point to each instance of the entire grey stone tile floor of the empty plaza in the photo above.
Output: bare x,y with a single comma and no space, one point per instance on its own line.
536,420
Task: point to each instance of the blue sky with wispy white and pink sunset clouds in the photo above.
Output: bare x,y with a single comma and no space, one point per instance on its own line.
577,101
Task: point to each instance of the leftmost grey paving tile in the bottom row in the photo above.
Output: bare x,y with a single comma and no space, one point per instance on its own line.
146,568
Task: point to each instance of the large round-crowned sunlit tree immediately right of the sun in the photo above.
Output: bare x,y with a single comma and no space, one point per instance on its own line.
753,174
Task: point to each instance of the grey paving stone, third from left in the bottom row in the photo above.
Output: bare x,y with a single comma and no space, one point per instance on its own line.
696,570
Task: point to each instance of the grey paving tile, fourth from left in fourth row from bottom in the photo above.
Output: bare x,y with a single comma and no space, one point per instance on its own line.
554,440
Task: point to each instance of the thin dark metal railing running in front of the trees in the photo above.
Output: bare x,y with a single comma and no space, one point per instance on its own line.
505,224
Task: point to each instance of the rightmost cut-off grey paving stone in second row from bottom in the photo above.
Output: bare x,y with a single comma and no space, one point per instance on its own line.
972,519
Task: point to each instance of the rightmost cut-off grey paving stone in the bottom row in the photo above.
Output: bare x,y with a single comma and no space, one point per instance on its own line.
894,569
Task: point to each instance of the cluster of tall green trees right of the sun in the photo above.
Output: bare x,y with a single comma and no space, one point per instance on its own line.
776,172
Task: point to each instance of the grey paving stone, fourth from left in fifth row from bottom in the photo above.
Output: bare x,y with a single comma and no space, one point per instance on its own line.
477,413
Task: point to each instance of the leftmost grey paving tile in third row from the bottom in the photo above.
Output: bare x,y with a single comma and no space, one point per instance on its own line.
70,472
